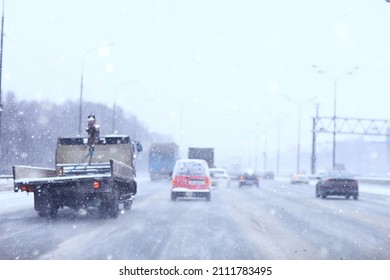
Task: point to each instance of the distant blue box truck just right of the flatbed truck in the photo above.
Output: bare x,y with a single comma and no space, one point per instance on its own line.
162,158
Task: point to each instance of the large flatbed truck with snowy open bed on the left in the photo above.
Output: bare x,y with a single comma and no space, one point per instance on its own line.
102,177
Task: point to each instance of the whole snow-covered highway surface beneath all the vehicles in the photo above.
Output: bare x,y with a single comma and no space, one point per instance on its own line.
277,221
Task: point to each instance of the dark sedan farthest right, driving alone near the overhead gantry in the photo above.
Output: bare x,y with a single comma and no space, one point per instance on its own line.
341,183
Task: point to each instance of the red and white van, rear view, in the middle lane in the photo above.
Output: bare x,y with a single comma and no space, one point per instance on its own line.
190,178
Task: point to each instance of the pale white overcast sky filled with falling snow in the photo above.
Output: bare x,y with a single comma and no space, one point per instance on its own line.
211,73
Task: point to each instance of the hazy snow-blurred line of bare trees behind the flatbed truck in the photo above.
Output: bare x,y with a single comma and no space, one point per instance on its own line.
30,129
